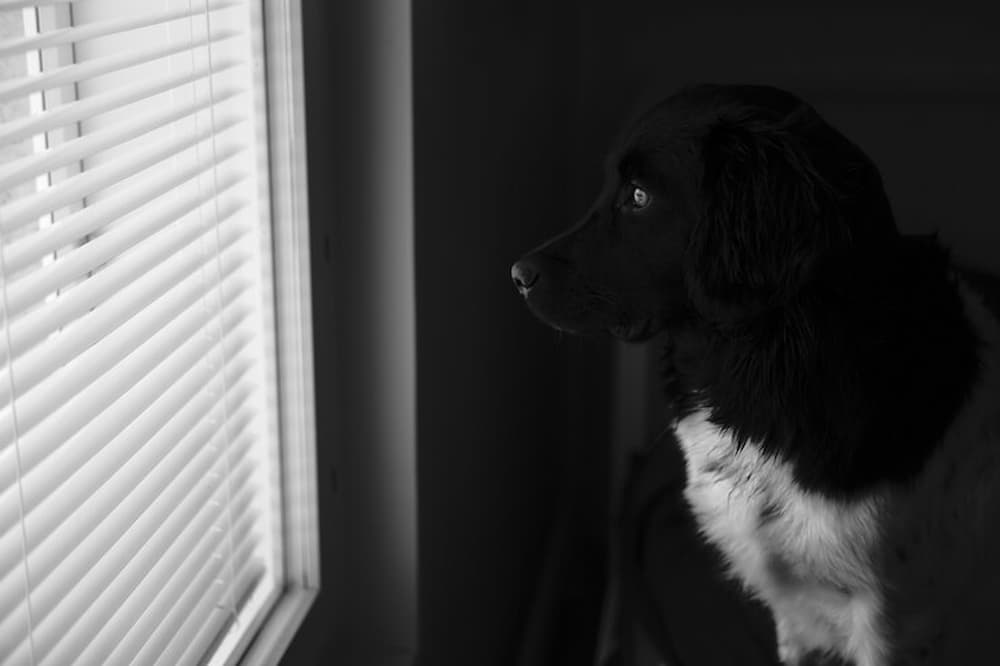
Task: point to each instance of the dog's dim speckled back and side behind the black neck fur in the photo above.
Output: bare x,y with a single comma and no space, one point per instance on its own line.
941,554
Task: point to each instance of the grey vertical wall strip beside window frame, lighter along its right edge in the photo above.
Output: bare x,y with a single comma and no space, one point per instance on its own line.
360,165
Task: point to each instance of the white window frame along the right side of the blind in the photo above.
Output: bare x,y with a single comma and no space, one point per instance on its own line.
283,55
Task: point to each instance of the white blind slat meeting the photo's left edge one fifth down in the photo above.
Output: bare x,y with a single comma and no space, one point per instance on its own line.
13,131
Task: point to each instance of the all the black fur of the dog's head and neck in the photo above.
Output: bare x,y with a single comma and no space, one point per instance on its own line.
769,255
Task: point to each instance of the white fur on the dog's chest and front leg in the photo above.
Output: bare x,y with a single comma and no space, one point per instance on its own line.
809,558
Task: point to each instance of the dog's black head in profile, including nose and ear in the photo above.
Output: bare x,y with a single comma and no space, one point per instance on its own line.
720,202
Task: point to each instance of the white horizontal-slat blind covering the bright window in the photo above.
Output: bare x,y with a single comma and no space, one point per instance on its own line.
140,516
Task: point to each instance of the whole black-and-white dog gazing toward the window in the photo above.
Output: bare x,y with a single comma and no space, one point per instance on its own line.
835,384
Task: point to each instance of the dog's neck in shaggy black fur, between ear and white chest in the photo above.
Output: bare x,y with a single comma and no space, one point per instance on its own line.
854,383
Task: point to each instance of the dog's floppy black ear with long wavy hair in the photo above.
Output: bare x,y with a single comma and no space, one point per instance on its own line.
768,217
